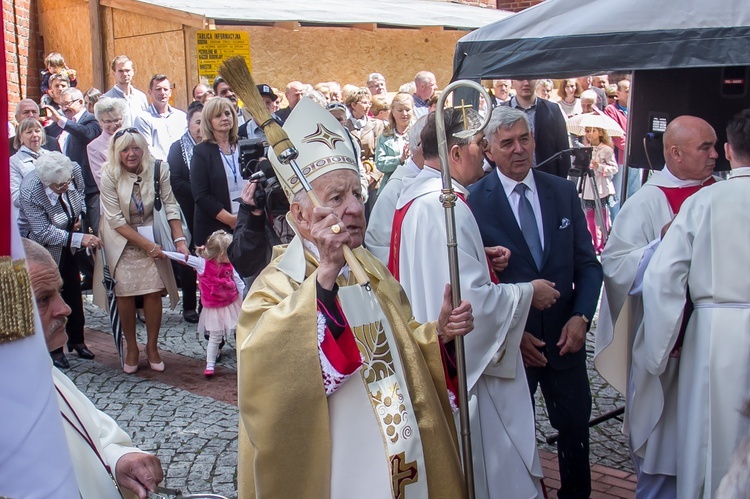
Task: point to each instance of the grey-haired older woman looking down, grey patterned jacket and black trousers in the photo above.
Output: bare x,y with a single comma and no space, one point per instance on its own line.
52,199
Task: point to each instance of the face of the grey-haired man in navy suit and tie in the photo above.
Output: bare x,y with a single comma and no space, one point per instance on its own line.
512,150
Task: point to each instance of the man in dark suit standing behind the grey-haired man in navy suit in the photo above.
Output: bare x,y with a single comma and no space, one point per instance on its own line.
547,127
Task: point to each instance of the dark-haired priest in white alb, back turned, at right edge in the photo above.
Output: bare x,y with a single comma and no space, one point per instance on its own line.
706,254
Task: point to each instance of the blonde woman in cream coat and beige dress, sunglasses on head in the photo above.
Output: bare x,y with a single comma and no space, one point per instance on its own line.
138,265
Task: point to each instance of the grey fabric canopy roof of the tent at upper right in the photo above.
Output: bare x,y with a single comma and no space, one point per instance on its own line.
564,38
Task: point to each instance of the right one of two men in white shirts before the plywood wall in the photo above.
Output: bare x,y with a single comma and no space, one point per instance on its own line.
160,124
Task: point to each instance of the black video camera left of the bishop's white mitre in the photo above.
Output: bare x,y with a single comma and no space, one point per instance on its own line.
254,165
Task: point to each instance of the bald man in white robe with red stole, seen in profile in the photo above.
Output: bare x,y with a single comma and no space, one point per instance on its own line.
690,154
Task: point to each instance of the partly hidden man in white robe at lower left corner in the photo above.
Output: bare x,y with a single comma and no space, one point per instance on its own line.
134,470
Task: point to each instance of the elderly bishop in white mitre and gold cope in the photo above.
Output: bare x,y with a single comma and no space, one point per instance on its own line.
341,393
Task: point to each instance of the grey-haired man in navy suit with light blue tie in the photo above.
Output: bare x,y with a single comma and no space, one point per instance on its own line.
538,217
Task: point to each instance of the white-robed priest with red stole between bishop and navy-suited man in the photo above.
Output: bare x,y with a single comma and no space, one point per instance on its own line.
505,457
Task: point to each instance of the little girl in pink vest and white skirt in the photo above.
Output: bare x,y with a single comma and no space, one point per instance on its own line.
221,293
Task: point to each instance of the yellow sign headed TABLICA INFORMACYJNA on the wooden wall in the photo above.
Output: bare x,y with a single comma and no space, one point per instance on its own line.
214,46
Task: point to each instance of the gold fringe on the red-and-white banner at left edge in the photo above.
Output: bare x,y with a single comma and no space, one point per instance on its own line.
16,302
